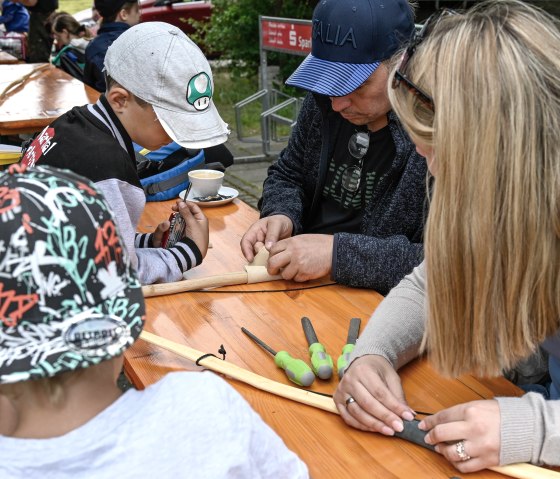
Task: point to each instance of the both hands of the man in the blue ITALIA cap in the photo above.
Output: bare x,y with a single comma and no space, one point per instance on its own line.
297,258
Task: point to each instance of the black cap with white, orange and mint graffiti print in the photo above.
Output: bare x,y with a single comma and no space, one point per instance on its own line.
69,297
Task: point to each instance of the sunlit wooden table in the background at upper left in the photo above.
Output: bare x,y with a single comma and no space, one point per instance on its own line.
40,99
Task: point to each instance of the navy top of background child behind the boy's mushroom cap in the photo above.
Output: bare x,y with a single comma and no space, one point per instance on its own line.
96,51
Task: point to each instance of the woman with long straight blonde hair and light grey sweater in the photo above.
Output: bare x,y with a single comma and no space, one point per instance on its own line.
479,95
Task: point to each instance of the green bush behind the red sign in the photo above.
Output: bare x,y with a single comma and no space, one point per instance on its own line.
233,32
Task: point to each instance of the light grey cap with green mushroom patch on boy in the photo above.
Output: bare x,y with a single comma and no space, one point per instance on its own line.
159,64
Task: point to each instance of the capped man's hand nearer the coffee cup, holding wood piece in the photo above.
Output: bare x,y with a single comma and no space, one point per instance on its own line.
267,230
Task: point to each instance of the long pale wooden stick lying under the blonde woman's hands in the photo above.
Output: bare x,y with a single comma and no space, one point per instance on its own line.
520,471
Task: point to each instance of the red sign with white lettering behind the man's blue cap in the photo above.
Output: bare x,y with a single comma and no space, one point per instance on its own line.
284,35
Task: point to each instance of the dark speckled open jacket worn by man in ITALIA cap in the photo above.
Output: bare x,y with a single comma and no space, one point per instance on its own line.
390,243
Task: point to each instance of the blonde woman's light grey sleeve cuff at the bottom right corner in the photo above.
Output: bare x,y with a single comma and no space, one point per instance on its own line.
530,430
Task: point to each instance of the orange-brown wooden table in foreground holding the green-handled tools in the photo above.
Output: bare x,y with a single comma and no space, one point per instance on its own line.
205,320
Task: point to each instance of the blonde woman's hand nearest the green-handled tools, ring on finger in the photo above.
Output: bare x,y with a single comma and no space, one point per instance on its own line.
379,404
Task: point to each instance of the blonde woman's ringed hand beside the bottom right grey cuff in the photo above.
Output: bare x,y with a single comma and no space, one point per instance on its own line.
470,430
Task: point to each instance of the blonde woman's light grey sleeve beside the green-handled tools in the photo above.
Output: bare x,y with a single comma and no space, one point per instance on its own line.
395,329
